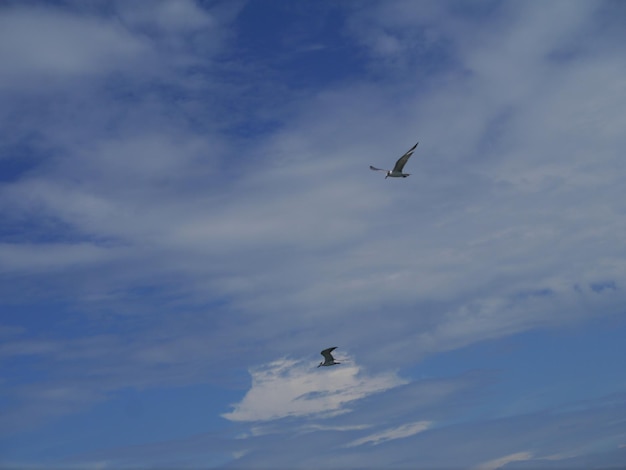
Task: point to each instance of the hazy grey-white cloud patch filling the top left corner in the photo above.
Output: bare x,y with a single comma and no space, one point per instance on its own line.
48,48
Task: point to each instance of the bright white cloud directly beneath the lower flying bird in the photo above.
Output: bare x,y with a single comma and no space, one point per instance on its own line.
286,388
